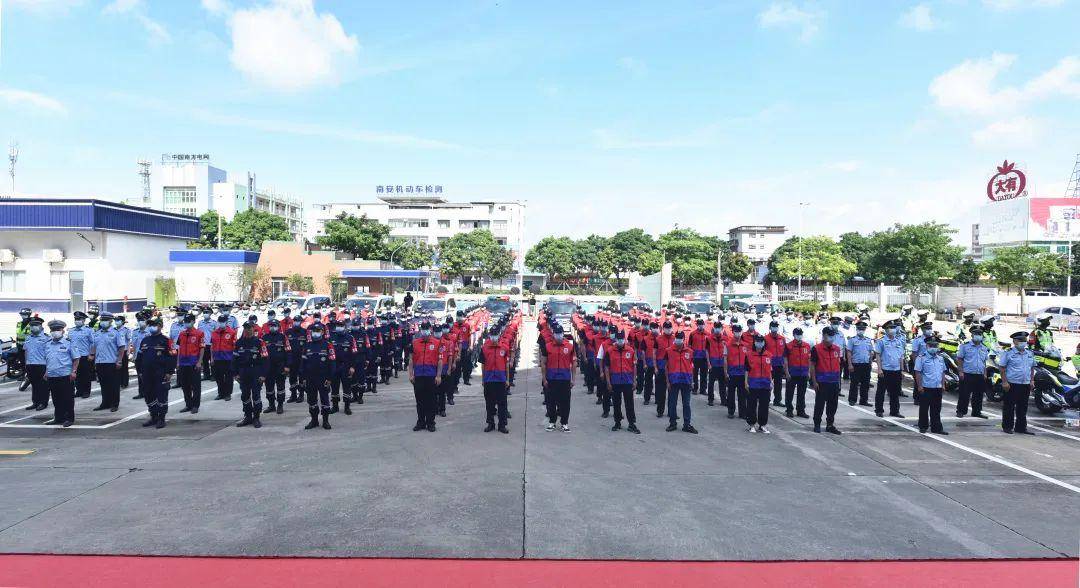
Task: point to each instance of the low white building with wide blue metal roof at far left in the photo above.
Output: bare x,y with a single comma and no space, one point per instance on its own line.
58,257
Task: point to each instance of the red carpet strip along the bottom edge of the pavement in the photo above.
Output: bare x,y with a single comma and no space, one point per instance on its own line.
148,572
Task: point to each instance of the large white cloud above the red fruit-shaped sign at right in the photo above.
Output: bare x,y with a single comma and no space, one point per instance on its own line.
970,88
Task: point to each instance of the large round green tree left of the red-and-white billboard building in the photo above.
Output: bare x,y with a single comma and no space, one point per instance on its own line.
916,257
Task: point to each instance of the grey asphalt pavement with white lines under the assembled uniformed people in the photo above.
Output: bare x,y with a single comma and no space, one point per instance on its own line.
373,488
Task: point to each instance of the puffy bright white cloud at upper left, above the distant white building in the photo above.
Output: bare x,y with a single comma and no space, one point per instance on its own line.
289,47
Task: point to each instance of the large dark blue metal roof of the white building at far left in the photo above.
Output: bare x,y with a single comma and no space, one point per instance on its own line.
49,215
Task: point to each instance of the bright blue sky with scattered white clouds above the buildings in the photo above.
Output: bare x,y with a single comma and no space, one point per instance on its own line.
602,115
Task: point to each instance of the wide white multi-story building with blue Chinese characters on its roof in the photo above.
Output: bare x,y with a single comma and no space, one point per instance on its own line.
431,219
